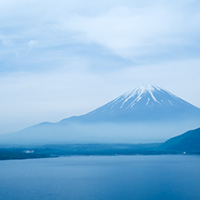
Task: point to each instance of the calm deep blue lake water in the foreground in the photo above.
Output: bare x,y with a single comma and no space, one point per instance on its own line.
101,178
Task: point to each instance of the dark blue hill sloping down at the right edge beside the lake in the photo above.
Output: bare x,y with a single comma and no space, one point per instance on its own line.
187,142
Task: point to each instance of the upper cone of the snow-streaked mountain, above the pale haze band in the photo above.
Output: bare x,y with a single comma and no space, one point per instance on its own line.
143,103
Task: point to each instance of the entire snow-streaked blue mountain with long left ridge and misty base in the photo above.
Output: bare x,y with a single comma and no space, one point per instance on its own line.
146,114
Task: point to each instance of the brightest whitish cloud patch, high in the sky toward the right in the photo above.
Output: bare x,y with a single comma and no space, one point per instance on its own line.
133,33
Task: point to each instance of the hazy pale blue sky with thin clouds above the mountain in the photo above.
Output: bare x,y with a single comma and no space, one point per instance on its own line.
60,57
